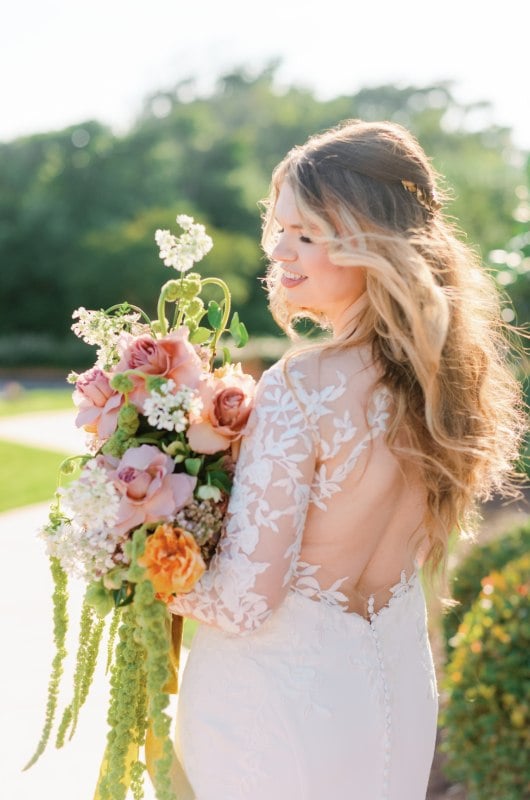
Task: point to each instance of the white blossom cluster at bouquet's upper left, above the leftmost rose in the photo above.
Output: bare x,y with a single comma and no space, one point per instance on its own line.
100,329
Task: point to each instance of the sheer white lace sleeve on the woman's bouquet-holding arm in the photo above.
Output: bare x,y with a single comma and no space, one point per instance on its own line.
250,574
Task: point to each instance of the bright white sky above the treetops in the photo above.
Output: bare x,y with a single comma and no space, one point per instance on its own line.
65,61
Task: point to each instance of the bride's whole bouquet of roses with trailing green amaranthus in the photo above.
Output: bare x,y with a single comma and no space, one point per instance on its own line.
141,519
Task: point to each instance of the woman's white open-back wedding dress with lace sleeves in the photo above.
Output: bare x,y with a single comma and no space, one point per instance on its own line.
299,686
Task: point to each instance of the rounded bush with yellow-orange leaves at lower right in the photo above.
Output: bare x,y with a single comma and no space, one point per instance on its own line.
485,722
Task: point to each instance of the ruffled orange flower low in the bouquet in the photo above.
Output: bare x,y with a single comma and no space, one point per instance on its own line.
173,560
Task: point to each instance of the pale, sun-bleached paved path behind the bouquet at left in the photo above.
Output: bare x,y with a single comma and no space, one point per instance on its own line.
26,614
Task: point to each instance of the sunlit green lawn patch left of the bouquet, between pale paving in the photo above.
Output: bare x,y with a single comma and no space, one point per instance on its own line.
27,475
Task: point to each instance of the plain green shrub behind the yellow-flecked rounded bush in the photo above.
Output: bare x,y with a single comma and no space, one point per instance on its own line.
466,580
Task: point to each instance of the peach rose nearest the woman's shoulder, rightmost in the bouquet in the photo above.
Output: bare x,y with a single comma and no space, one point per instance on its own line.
227,398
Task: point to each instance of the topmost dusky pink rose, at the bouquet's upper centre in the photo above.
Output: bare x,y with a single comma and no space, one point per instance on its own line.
172,357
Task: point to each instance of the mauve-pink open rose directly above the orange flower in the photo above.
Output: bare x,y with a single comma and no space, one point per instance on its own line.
149,490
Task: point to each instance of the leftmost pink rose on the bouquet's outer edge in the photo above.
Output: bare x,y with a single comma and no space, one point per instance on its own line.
98,405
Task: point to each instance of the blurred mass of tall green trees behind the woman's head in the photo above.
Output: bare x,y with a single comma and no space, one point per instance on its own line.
79,212
